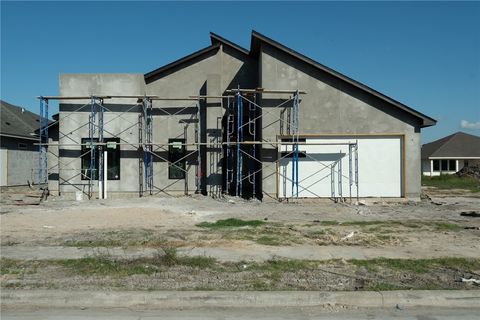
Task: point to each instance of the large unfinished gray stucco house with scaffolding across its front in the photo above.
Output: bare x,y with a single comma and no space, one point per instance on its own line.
193,141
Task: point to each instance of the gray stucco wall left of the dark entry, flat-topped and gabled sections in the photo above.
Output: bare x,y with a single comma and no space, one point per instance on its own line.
210,74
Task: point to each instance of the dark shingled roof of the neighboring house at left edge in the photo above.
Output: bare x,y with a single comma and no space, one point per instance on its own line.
18,122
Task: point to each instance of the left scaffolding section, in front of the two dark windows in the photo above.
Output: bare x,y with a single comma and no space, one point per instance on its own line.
97,147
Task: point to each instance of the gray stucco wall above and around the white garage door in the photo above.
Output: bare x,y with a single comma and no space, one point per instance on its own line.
333,107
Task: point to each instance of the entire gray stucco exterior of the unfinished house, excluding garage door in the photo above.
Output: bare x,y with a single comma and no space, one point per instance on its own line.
330,107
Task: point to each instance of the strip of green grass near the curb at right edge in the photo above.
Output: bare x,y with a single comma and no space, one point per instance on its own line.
418,265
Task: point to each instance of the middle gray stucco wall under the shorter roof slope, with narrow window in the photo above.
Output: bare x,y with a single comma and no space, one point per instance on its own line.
211,75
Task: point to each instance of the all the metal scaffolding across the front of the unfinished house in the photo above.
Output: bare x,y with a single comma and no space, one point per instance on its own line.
241,147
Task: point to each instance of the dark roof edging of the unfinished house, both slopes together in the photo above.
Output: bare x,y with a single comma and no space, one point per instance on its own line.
256,41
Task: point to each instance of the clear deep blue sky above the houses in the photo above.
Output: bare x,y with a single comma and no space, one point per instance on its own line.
423,54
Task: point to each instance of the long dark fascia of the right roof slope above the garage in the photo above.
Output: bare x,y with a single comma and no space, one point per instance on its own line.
258,38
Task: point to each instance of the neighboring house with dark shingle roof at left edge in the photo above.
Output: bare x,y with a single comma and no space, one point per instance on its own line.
19,155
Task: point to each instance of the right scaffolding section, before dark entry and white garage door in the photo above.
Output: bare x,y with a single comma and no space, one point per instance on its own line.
291,124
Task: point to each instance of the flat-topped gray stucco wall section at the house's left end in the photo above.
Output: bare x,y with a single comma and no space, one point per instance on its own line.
73,126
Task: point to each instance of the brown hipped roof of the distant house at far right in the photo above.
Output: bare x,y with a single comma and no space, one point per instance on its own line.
457,145
